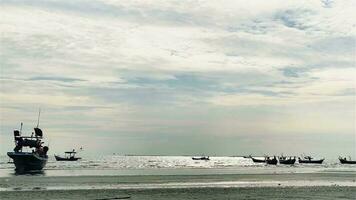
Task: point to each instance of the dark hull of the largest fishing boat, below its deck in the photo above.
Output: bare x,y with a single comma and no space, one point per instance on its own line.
27,161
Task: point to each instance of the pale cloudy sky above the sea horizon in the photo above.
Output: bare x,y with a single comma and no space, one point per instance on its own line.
183,77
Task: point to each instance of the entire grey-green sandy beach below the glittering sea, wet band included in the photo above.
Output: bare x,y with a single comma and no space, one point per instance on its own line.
221,186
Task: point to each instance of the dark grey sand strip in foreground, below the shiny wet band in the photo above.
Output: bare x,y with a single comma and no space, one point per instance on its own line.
315,192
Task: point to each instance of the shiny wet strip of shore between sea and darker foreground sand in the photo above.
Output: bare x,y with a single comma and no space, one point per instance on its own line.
63,183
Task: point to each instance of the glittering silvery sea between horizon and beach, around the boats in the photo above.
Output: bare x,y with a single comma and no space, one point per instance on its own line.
172,165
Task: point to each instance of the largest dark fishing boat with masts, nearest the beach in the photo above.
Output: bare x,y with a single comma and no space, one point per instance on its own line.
34,160
